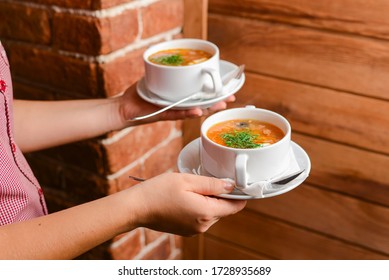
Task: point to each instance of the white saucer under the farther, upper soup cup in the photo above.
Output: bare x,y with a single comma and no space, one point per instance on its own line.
231,88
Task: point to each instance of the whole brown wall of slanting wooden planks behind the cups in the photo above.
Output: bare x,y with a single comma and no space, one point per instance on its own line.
324,65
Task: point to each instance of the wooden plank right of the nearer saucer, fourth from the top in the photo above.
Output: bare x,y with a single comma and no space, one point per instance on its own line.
347,170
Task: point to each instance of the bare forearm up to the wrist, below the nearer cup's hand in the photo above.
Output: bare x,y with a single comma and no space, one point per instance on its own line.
68,233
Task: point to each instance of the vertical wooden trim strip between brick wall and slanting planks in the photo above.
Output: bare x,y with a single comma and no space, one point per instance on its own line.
195,26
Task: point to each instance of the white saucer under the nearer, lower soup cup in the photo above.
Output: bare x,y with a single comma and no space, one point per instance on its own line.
189,159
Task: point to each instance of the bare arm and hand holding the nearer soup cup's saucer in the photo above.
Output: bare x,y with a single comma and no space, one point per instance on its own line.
71,232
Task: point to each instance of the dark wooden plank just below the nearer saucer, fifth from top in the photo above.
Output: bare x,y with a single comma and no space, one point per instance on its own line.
334,215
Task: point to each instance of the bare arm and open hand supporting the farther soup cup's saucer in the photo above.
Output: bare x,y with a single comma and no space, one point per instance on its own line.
44,124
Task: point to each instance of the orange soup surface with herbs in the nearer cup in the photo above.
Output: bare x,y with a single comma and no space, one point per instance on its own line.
245,133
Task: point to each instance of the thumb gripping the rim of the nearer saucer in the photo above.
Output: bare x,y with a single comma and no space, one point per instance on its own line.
214,186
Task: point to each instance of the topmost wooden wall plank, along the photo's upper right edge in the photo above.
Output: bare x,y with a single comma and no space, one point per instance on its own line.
361,17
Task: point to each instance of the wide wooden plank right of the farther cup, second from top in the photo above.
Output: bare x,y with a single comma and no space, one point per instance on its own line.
326,59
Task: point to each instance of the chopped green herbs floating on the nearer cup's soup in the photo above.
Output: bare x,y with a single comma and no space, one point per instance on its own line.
243,139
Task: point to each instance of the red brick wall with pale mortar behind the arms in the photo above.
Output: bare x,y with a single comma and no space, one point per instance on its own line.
92,49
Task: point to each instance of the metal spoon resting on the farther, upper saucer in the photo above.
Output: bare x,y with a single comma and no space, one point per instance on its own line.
234,74
